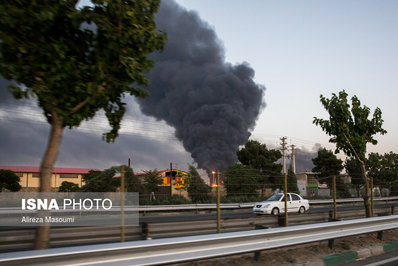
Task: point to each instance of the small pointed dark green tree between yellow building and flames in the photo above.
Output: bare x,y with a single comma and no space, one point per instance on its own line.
198,190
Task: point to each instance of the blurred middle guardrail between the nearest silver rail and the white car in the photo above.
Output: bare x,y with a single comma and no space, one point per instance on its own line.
155,227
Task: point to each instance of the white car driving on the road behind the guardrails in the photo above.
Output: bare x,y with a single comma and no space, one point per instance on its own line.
276,204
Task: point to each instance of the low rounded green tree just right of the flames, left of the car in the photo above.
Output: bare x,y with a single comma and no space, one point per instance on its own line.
242,181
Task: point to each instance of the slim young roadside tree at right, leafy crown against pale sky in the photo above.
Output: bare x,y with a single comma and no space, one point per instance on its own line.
351,130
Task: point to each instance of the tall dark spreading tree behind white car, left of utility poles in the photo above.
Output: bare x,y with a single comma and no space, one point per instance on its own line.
259,157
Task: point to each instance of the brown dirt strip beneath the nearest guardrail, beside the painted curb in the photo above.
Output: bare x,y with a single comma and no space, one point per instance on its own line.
298,254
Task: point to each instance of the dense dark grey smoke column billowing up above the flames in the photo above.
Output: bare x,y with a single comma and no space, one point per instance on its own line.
212,105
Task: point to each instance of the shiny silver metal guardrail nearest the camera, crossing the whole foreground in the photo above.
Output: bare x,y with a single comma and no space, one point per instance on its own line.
183,249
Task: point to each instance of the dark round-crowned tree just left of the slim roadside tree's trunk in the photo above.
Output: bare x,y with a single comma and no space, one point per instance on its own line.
328,165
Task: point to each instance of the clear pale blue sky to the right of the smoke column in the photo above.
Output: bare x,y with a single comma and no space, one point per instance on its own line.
301,49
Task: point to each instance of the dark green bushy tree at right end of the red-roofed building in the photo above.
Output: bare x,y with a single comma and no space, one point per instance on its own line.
101,181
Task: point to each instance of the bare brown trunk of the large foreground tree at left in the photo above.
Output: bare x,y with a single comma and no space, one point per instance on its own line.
42,238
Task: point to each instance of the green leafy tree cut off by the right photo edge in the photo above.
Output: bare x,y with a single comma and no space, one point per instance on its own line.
384,170
